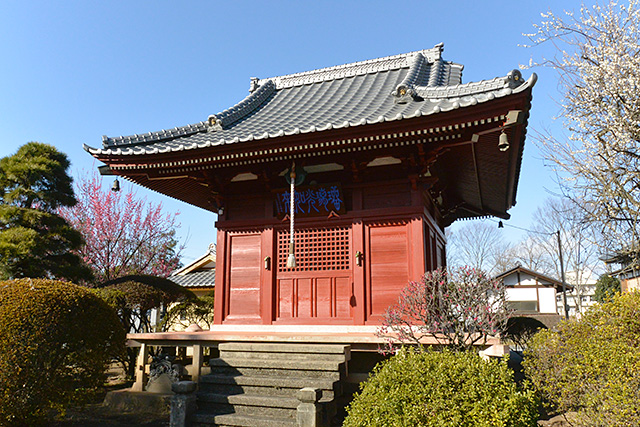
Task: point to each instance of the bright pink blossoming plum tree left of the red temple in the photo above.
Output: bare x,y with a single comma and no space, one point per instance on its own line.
124,234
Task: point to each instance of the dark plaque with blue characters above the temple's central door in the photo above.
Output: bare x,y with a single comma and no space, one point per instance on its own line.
316,200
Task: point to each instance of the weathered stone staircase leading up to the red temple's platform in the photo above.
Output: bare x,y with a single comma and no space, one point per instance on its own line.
256,384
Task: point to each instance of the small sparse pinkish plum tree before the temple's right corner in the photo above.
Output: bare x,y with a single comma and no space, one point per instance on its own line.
457,308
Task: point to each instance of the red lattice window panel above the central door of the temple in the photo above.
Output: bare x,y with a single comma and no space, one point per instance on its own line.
316,249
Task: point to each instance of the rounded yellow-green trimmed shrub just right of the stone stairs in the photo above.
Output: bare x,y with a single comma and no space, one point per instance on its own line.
441,389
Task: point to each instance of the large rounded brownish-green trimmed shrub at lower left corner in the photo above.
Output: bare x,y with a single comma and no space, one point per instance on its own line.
56,340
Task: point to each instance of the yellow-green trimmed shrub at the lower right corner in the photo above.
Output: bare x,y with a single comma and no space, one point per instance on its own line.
592,366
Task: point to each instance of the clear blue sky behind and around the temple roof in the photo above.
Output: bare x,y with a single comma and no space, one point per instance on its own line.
76,70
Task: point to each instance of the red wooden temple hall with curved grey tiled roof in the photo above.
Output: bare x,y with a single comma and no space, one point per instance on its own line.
391,150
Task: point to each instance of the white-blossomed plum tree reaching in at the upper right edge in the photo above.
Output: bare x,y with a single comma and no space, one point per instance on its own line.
598,64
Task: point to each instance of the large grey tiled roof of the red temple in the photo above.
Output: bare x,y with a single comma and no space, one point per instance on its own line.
374,91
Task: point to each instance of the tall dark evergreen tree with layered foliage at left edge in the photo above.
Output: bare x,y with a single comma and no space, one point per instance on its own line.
34,240
